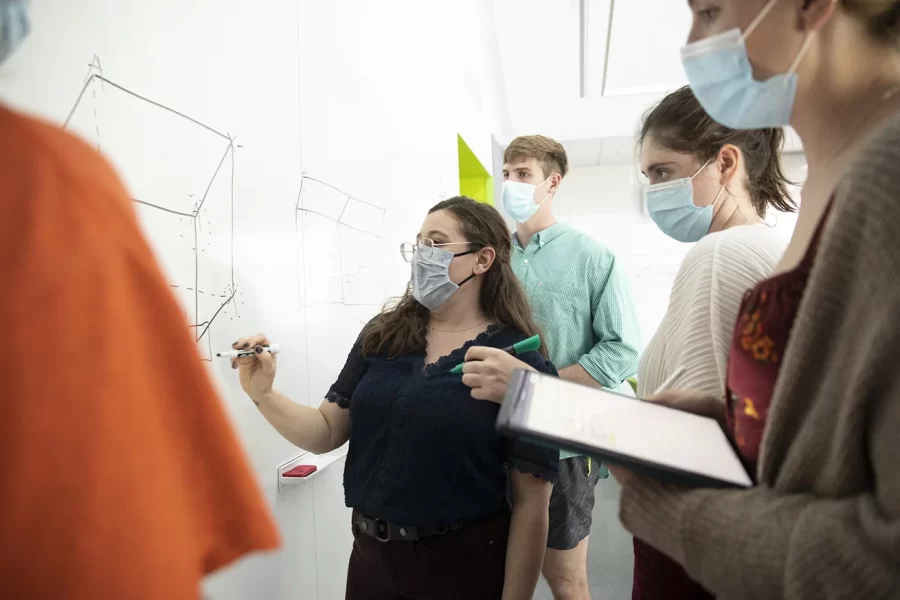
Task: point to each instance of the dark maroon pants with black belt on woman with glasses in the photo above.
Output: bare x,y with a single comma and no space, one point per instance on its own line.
469,563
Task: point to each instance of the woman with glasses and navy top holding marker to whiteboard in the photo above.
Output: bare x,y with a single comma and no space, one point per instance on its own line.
426,474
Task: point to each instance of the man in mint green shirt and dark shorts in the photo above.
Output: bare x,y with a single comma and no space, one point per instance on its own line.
583,302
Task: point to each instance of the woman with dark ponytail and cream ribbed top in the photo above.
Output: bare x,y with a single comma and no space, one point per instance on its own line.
711,185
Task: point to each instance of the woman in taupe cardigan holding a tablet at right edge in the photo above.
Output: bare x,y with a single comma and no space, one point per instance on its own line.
812,385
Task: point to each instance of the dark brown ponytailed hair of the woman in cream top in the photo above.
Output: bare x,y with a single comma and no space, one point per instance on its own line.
679,123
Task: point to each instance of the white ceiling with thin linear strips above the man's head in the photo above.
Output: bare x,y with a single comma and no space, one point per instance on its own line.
585,71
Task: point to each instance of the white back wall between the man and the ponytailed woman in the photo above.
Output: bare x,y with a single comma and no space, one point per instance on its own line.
604,201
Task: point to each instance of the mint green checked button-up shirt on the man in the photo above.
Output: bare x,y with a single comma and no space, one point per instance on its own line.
582,301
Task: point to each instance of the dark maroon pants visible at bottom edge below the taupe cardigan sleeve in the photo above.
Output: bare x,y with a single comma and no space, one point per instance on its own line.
658,577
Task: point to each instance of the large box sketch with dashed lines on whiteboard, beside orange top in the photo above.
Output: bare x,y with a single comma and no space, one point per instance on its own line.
180,173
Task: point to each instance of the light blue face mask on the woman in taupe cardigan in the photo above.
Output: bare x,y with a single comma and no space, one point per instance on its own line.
719,73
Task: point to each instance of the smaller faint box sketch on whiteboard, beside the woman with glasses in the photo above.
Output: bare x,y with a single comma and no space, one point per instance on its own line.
337,237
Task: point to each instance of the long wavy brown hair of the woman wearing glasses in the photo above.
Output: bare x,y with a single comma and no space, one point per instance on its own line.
400,329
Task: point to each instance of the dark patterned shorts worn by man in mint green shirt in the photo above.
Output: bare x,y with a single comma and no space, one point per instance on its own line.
572,501
